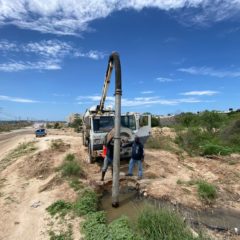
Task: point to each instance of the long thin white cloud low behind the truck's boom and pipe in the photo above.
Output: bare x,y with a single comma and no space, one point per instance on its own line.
137,101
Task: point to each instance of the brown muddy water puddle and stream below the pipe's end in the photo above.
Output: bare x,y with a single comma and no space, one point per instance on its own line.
131,204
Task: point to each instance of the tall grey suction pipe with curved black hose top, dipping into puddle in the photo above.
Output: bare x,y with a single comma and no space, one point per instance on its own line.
115,60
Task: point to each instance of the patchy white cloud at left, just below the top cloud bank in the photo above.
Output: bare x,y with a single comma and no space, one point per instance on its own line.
45,55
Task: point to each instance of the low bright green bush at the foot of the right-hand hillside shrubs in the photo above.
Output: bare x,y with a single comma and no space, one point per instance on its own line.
214,149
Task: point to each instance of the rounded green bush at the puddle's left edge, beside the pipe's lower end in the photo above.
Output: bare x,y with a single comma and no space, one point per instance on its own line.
87,202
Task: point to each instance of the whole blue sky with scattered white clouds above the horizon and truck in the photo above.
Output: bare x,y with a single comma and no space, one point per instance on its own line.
176,55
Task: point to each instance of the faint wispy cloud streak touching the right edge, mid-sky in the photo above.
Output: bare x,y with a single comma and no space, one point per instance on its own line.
208,71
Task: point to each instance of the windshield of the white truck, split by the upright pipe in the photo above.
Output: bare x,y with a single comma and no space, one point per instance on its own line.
106,123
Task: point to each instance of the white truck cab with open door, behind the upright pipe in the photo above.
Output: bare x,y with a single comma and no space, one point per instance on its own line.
97,126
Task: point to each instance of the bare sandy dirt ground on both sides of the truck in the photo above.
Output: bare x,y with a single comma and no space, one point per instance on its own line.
30,184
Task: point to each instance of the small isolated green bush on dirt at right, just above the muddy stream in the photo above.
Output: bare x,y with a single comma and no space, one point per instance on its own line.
206,191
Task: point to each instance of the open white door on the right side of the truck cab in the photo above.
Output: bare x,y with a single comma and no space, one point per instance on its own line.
144,127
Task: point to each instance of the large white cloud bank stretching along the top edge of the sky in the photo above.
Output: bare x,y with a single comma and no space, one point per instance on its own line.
70,17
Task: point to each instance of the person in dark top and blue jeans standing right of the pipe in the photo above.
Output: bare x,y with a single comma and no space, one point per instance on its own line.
137,157
